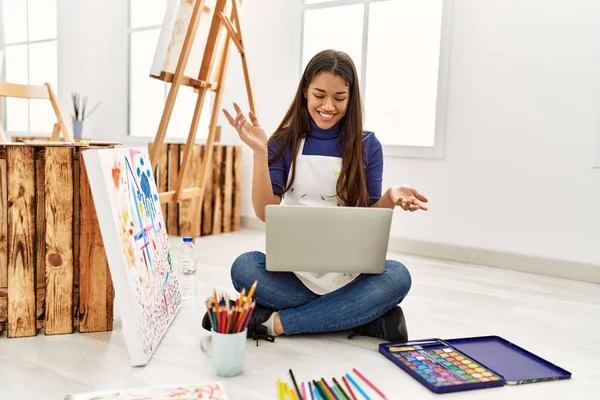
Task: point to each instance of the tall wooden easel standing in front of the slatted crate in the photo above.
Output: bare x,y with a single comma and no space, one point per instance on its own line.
202,84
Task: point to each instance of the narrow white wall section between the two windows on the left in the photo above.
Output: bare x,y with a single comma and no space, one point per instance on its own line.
92,60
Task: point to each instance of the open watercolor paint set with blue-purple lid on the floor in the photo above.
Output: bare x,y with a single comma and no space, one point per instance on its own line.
453,365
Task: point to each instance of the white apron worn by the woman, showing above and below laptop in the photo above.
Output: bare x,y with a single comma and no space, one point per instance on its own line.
315,185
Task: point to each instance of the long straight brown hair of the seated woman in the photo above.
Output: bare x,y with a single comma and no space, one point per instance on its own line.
352,184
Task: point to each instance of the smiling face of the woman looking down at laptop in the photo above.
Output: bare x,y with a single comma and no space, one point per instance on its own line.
327,99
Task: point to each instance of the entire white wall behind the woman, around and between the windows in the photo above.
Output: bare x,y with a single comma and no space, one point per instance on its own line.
522,125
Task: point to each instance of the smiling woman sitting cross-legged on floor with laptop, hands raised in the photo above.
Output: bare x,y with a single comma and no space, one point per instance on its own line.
320,155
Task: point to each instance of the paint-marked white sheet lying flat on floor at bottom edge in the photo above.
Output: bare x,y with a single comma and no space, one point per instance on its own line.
214,391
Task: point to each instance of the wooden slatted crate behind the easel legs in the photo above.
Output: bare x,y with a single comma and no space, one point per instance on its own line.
221,208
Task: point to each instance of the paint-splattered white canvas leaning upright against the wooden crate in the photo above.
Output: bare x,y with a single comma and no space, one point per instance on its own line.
137,246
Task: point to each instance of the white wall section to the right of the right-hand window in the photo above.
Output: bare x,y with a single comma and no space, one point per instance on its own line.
521,134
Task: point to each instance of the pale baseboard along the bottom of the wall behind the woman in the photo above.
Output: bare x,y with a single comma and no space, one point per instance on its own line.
517,262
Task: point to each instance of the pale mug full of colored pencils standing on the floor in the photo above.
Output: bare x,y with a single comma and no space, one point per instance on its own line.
229,319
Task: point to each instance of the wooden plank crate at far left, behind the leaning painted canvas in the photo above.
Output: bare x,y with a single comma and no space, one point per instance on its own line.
53,270
